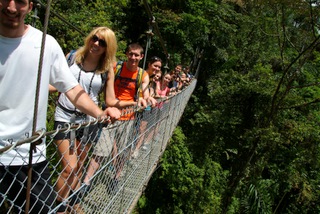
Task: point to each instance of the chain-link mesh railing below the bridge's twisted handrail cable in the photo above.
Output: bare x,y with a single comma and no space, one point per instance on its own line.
119,173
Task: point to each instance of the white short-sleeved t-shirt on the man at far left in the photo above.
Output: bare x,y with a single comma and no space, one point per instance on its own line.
19,61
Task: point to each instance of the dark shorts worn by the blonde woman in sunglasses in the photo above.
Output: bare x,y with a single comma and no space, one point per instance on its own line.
84,134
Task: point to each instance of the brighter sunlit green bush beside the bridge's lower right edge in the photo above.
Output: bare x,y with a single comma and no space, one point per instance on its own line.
184,186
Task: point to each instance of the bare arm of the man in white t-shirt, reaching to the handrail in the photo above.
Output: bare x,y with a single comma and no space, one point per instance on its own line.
81,100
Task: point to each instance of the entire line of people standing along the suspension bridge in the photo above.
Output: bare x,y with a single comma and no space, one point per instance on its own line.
80,78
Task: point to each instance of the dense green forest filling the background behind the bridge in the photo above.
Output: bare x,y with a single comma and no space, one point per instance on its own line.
248,141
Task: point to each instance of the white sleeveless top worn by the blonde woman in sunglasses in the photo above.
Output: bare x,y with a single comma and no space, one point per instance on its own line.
91,82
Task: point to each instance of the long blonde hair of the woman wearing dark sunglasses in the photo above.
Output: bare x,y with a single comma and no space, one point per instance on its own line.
108,58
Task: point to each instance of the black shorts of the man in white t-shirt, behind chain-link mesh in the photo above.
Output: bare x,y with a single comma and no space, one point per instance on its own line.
13,186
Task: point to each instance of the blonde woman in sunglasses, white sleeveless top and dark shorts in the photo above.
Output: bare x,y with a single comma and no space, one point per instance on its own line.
92,65
